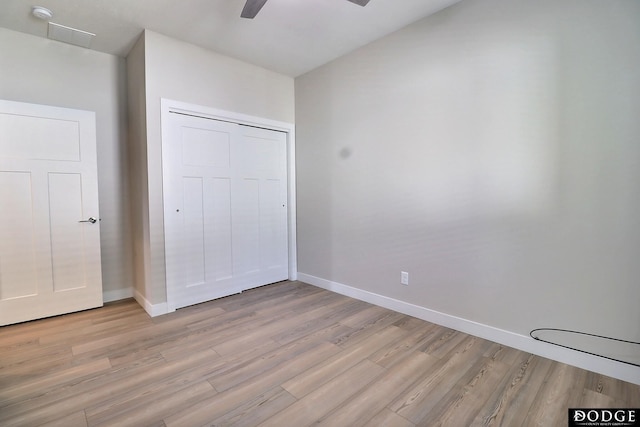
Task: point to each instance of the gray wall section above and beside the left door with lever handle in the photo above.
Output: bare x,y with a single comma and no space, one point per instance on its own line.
41,71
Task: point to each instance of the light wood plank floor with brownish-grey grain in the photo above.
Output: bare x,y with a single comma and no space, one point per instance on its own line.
288,354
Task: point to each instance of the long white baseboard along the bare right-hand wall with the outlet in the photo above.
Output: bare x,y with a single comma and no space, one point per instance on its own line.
525,343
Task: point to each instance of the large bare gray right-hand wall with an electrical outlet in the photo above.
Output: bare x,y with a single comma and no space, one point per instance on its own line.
492,151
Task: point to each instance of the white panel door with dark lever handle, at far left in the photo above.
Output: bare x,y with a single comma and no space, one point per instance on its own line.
49,255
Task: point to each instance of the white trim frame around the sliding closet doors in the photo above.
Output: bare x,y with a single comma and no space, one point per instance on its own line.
167,106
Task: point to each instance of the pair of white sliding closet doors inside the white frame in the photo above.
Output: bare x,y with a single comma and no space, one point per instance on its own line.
225,191
